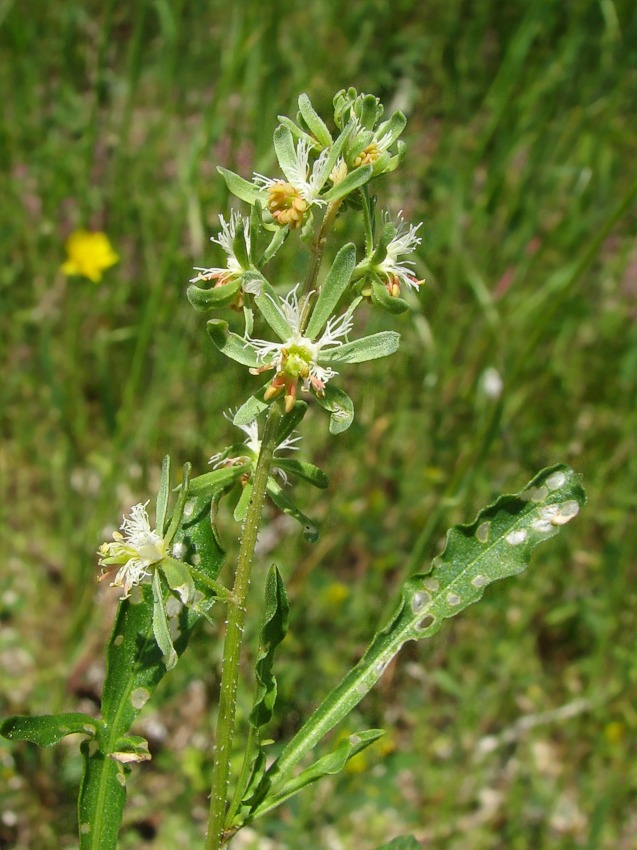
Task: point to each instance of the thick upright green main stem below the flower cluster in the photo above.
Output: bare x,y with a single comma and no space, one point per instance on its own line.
234,636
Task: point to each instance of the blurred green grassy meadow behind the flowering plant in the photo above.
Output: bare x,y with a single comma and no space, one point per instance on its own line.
521,163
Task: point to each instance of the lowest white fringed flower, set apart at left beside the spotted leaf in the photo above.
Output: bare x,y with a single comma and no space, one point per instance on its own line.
134,552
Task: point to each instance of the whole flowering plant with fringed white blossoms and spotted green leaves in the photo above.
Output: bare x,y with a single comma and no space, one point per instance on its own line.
170,573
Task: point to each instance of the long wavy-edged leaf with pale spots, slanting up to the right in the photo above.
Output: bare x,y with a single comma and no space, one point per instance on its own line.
497,544
